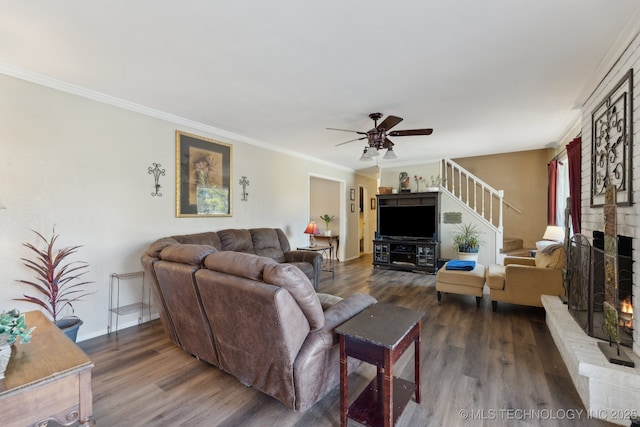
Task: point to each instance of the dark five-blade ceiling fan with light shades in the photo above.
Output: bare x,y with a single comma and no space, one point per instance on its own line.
377,138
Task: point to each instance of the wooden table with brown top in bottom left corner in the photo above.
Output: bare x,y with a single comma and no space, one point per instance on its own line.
48,379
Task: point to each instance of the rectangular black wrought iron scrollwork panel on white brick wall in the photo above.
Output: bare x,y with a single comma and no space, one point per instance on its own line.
612,127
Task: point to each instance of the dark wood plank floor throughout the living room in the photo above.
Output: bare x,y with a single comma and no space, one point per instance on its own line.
478,368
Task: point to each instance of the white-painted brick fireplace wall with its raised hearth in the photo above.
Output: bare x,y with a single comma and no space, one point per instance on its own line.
605,387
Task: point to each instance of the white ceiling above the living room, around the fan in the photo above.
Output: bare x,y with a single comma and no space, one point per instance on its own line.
488,76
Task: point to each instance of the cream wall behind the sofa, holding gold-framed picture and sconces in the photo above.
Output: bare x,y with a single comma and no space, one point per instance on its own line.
81,165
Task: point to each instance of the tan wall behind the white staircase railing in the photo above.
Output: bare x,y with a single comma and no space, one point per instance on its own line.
523,177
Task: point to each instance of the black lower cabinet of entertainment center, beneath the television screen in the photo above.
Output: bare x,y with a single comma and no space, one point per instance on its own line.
406,254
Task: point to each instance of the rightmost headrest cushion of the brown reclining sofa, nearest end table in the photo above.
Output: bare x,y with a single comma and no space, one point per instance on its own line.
297,283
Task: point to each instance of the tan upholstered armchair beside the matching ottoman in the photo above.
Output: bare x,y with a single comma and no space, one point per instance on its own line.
524,280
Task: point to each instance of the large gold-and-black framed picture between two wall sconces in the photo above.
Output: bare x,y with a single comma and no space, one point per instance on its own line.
203,176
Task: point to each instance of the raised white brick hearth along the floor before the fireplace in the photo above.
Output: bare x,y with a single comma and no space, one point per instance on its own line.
606,390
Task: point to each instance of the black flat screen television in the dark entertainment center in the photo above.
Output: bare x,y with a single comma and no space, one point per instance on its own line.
408,222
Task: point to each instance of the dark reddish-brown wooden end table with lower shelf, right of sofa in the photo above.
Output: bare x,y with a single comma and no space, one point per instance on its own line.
379,335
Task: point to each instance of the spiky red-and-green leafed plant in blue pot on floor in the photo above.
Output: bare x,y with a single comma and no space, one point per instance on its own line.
57,281
